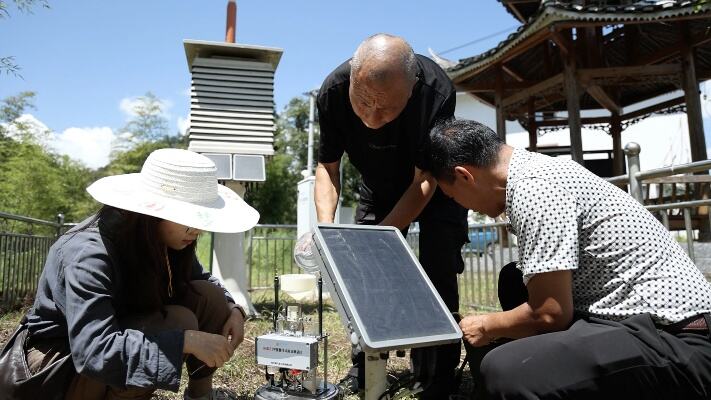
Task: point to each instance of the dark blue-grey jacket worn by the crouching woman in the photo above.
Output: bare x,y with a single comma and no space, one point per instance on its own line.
79,297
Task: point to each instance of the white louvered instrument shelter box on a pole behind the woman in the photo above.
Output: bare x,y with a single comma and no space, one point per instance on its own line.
232,104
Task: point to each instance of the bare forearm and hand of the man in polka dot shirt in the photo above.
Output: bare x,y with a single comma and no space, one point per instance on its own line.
549,308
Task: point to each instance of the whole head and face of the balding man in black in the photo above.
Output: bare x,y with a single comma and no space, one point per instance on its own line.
383,76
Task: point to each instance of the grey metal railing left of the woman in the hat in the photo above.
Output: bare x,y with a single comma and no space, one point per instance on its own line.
24,243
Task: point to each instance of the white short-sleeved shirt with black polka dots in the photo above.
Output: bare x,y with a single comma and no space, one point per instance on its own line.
624,261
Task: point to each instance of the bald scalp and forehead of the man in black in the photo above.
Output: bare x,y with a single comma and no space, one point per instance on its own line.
383,57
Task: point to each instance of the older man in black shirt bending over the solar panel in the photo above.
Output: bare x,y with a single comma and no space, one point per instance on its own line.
378,107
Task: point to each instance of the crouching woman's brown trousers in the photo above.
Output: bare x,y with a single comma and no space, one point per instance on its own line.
206,310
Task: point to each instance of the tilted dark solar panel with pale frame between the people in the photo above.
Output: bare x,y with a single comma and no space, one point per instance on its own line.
380,289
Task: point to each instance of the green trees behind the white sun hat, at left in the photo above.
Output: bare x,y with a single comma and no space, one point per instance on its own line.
37,182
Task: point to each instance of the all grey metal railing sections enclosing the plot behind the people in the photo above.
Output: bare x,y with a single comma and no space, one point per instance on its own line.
24,243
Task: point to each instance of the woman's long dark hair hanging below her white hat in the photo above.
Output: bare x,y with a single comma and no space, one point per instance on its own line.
143,261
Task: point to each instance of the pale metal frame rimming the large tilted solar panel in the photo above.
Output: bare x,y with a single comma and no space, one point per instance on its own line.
344,303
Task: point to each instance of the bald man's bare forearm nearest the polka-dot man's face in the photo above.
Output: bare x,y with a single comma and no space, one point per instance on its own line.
412,201
